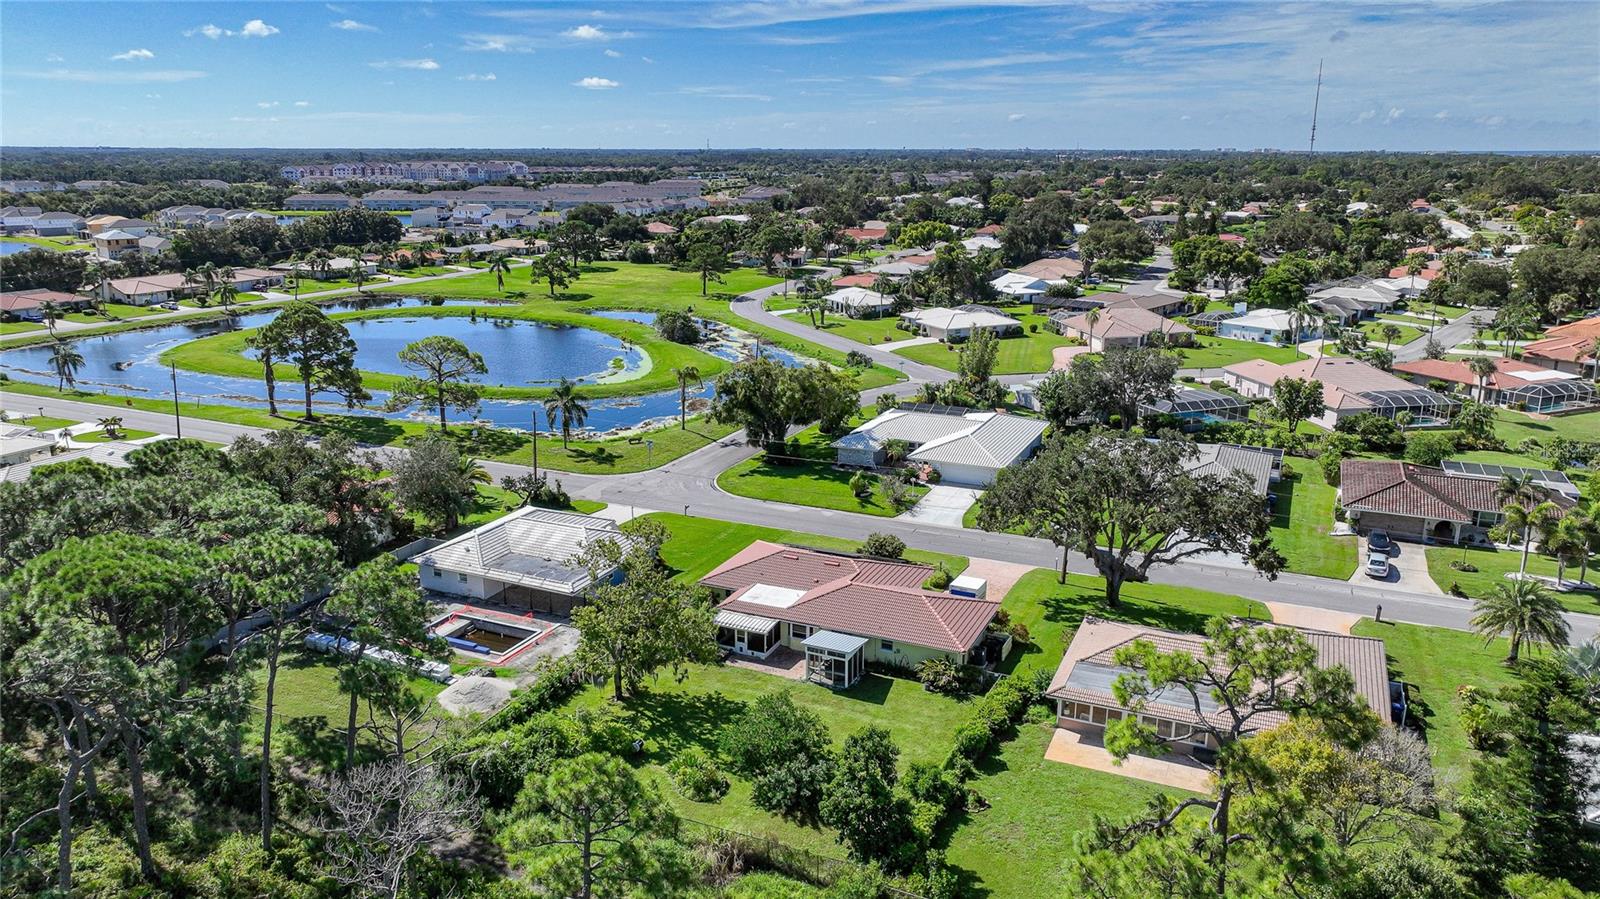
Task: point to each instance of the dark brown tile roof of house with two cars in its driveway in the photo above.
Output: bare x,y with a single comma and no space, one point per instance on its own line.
1418,492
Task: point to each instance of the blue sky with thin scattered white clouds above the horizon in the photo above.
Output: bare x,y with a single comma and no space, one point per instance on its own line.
801,74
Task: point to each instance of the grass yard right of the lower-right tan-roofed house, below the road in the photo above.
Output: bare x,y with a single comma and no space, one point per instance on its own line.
1441,661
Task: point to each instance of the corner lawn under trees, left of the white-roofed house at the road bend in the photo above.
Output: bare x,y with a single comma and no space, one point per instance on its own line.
807,477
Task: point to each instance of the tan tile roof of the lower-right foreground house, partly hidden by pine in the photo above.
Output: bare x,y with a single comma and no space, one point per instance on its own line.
1097,642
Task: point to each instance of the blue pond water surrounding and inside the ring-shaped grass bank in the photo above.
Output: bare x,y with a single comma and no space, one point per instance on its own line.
516,354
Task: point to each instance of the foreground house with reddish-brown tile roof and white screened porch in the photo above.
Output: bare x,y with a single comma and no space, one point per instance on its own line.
844,612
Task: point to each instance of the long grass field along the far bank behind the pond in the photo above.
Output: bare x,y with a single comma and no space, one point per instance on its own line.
650,289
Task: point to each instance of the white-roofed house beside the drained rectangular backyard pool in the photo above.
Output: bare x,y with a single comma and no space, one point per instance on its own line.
526,559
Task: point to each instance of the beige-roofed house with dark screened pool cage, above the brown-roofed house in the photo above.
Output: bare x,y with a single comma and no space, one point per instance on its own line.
1348,388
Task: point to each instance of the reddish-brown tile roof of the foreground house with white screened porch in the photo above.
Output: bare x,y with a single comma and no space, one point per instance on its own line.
855,596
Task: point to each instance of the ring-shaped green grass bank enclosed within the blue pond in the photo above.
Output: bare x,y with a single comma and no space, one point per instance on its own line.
225,354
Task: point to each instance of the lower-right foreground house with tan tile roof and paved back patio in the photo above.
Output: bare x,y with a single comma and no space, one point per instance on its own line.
1084,684
